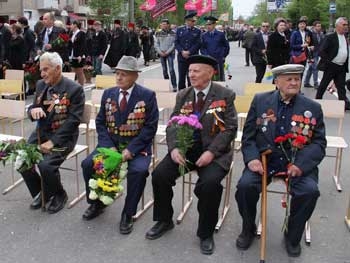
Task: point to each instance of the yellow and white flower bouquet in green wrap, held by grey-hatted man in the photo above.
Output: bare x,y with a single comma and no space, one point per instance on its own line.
109,172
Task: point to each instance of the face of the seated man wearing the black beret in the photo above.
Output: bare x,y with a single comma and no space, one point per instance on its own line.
200,75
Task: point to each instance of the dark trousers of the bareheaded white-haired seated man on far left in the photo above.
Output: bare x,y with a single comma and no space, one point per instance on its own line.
49,170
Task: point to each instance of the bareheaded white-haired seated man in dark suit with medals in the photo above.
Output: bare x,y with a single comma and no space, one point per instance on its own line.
57,108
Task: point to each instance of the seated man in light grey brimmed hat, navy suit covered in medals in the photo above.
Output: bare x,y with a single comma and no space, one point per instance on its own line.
127,122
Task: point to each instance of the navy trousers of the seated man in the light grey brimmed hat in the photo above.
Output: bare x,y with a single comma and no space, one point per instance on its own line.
136,180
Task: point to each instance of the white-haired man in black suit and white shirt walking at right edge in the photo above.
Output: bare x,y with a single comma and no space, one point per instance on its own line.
334,63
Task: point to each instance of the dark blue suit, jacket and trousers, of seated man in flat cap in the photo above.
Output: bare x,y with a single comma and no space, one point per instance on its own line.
259,135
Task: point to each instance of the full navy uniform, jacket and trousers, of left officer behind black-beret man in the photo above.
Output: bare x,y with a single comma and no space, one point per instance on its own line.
188,39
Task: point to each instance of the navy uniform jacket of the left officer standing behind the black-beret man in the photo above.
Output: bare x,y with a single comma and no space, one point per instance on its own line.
188,39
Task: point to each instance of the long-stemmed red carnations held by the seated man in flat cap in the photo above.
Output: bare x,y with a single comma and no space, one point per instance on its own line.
289,144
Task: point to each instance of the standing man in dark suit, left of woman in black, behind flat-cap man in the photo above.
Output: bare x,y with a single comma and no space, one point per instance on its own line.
259,46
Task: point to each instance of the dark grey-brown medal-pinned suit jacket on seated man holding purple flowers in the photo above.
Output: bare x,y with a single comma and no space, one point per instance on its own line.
218,143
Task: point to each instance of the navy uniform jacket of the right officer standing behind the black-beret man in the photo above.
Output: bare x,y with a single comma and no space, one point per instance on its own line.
215,45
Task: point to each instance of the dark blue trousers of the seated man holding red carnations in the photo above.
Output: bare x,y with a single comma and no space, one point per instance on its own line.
304,192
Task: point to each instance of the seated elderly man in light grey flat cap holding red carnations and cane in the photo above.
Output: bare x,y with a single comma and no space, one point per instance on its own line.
276,114
